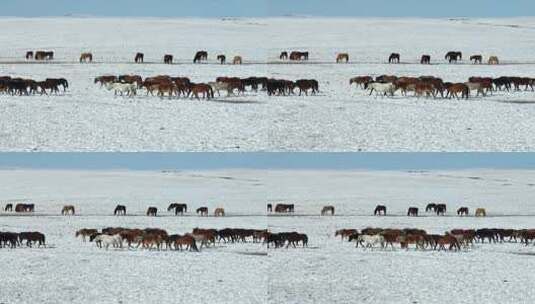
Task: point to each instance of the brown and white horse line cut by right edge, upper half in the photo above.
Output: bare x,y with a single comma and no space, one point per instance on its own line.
430,86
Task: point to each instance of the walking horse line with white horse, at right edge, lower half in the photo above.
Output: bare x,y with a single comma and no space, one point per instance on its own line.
421,239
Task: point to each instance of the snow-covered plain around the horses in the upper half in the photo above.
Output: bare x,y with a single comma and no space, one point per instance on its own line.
340,118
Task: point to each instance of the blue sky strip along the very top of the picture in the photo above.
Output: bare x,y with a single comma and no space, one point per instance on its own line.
216,8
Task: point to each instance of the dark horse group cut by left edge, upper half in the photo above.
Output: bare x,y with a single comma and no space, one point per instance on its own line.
21,86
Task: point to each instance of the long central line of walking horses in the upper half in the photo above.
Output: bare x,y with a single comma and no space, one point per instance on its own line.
176,87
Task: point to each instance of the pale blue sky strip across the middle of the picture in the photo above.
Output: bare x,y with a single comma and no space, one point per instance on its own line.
206,161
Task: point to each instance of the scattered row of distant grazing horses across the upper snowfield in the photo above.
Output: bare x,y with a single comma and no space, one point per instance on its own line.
200,56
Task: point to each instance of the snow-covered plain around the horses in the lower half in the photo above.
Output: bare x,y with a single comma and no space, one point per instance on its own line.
329,271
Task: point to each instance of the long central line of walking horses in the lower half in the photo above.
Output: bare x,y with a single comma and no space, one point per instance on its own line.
160,239
